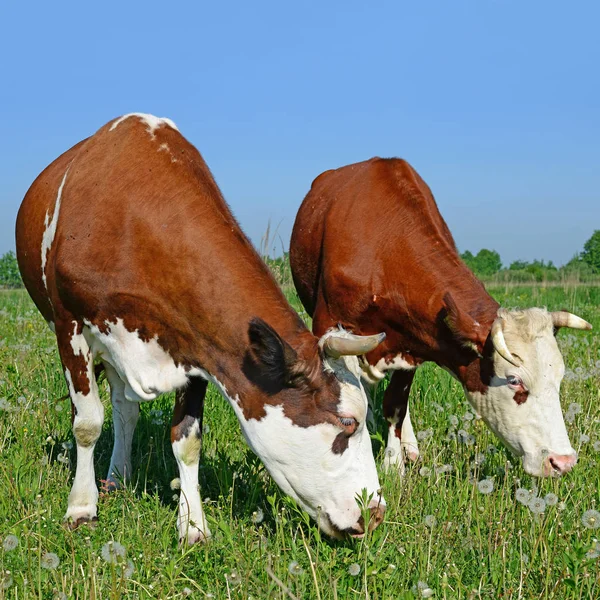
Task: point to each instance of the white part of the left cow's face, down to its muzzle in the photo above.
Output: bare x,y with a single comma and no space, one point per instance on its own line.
301,459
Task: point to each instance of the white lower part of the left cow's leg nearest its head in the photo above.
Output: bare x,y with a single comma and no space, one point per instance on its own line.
191,521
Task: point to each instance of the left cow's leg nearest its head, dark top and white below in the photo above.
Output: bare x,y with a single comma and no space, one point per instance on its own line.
186,439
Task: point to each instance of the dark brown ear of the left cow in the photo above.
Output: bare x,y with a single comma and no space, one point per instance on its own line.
270,362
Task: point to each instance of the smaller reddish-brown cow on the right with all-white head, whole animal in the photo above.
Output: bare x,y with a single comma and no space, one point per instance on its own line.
370,251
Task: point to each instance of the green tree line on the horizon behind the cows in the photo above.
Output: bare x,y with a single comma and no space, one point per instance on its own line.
486,264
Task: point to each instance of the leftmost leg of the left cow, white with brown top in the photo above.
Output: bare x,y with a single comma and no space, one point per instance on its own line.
88,416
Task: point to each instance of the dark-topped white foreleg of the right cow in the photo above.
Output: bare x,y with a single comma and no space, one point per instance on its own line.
401,437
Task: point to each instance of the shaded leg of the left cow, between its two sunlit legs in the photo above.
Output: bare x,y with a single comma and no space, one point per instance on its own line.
125,417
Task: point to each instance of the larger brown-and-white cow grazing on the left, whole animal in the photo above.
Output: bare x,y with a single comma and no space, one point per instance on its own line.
131,254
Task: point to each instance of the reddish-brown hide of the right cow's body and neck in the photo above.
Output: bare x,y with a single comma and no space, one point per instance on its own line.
371,251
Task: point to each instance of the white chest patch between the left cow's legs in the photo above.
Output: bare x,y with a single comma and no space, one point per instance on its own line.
146,369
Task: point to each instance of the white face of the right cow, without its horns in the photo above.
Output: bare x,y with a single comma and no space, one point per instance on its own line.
536,427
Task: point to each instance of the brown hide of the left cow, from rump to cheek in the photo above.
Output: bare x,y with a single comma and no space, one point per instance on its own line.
144,235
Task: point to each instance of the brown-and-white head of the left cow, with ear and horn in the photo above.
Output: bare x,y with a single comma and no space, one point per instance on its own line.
311,431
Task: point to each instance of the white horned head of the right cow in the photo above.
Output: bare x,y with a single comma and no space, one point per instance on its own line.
522,369
